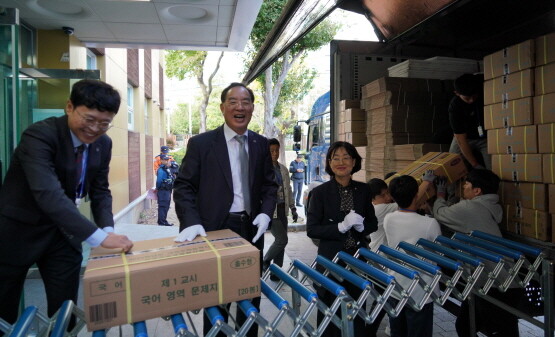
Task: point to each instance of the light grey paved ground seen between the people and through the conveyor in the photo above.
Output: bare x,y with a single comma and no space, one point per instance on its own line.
299,247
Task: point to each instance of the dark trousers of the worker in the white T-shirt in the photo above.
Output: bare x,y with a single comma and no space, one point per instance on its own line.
411,323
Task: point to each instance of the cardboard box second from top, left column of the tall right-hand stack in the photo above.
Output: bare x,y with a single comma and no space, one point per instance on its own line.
508,87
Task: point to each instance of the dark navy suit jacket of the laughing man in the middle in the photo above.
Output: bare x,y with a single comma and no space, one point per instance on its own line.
203,190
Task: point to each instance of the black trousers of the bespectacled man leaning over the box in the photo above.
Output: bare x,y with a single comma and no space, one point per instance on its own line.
59,265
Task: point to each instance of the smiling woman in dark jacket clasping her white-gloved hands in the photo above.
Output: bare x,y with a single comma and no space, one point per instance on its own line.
341,216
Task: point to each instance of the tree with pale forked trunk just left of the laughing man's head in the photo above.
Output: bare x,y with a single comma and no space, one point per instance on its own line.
183,64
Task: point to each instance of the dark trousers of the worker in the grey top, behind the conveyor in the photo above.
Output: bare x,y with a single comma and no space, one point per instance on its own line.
490,319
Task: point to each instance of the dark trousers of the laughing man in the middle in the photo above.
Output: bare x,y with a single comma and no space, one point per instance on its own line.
243,226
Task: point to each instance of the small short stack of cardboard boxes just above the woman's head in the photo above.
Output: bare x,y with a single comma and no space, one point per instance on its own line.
352,123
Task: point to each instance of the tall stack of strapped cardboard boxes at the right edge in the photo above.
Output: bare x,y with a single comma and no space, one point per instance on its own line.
519,113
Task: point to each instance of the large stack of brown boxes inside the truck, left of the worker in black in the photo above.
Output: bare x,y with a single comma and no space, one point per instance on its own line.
401,111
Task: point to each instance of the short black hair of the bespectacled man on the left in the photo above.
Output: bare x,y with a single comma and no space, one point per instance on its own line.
95,94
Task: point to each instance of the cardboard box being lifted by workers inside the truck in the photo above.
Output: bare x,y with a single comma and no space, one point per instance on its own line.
444,164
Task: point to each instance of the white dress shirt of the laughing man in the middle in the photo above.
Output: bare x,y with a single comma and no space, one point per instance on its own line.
233,145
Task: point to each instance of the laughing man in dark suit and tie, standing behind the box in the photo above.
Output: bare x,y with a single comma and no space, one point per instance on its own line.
219,186
